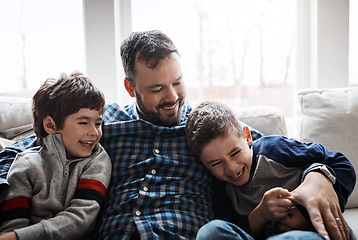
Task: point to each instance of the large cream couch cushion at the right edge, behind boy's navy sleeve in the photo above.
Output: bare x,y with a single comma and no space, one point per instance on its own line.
330,117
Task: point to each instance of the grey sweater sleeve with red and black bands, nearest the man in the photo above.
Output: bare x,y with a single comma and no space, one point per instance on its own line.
78,218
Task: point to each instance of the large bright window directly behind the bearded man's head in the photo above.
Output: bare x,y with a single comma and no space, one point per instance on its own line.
238,52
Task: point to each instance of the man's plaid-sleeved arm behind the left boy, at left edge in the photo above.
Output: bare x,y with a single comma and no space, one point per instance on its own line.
7,156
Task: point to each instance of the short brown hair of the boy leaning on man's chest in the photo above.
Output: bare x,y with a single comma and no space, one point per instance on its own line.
208,121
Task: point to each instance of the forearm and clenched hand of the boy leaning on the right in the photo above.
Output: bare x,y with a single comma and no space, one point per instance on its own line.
273,207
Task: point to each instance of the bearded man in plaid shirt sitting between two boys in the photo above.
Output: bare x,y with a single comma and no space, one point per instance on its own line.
158,189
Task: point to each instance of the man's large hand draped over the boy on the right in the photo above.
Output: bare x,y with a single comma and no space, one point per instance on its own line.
317,195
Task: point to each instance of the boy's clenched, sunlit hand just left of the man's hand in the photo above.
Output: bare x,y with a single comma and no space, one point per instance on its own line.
274,204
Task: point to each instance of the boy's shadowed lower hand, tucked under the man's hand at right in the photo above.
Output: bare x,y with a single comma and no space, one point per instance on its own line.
294,221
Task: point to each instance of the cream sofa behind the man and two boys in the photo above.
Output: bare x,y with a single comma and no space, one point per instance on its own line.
328,116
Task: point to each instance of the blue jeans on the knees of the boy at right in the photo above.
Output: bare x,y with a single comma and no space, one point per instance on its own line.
221,230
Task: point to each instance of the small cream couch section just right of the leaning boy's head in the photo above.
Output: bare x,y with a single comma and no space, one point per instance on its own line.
267,119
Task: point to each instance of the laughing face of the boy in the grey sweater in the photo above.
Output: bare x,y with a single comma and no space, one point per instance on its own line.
81,132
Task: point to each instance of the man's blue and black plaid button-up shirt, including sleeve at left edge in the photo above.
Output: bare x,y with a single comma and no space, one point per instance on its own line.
157,184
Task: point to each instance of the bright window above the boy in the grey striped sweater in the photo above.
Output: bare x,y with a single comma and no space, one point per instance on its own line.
38,39
